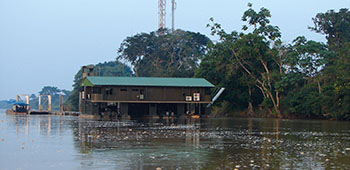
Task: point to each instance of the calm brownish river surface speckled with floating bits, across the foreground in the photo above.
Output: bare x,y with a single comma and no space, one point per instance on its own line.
65,142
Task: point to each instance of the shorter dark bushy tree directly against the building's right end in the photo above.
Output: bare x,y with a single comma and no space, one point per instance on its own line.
217,67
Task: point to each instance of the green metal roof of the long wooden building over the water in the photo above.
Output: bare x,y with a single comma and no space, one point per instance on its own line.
146,81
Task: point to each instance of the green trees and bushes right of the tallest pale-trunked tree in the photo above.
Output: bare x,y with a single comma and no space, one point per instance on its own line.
326,94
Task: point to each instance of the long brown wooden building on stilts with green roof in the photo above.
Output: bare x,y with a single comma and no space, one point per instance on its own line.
141,96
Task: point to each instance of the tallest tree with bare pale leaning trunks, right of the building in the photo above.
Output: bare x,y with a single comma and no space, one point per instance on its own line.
254,56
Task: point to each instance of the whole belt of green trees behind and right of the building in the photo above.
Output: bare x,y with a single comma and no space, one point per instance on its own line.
262,75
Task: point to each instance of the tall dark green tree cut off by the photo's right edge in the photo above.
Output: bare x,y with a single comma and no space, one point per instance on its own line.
336,27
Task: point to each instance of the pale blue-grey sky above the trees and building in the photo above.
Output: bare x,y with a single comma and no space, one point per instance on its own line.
45,42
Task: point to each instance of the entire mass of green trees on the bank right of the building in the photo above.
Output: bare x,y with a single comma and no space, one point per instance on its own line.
304,79
